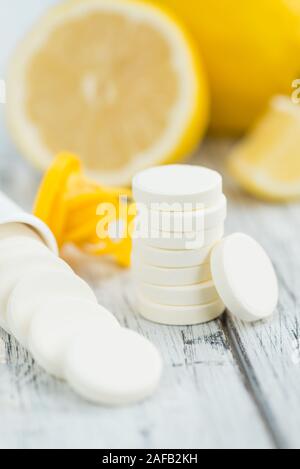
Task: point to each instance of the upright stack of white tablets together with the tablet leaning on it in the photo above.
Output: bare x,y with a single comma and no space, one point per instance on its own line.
185,271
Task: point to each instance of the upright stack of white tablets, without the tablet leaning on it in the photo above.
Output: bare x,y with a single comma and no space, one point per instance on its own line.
181,215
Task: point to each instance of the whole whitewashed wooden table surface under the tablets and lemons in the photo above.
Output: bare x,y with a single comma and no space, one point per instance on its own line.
226,384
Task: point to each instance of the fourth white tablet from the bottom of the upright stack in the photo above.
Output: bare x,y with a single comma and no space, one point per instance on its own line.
170,257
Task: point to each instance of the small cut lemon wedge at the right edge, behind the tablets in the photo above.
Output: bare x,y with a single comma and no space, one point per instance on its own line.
267,163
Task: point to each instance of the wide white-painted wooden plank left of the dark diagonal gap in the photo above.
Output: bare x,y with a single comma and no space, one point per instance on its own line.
203,402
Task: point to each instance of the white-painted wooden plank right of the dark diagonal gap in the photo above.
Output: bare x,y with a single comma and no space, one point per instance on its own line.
269,352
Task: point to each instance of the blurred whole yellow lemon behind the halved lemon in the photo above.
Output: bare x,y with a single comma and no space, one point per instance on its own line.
251,49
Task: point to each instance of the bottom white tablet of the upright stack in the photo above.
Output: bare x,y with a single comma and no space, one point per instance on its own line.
179,315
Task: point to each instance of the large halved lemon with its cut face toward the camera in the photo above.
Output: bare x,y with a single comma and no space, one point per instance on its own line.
118,83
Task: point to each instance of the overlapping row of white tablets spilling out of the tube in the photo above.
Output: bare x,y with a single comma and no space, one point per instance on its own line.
55,315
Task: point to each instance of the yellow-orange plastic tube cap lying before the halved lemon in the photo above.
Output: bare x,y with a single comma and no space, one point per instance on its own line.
73,207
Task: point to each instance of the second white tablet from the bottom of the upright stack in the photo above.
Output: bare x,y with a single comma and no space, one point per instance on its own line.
190,295
